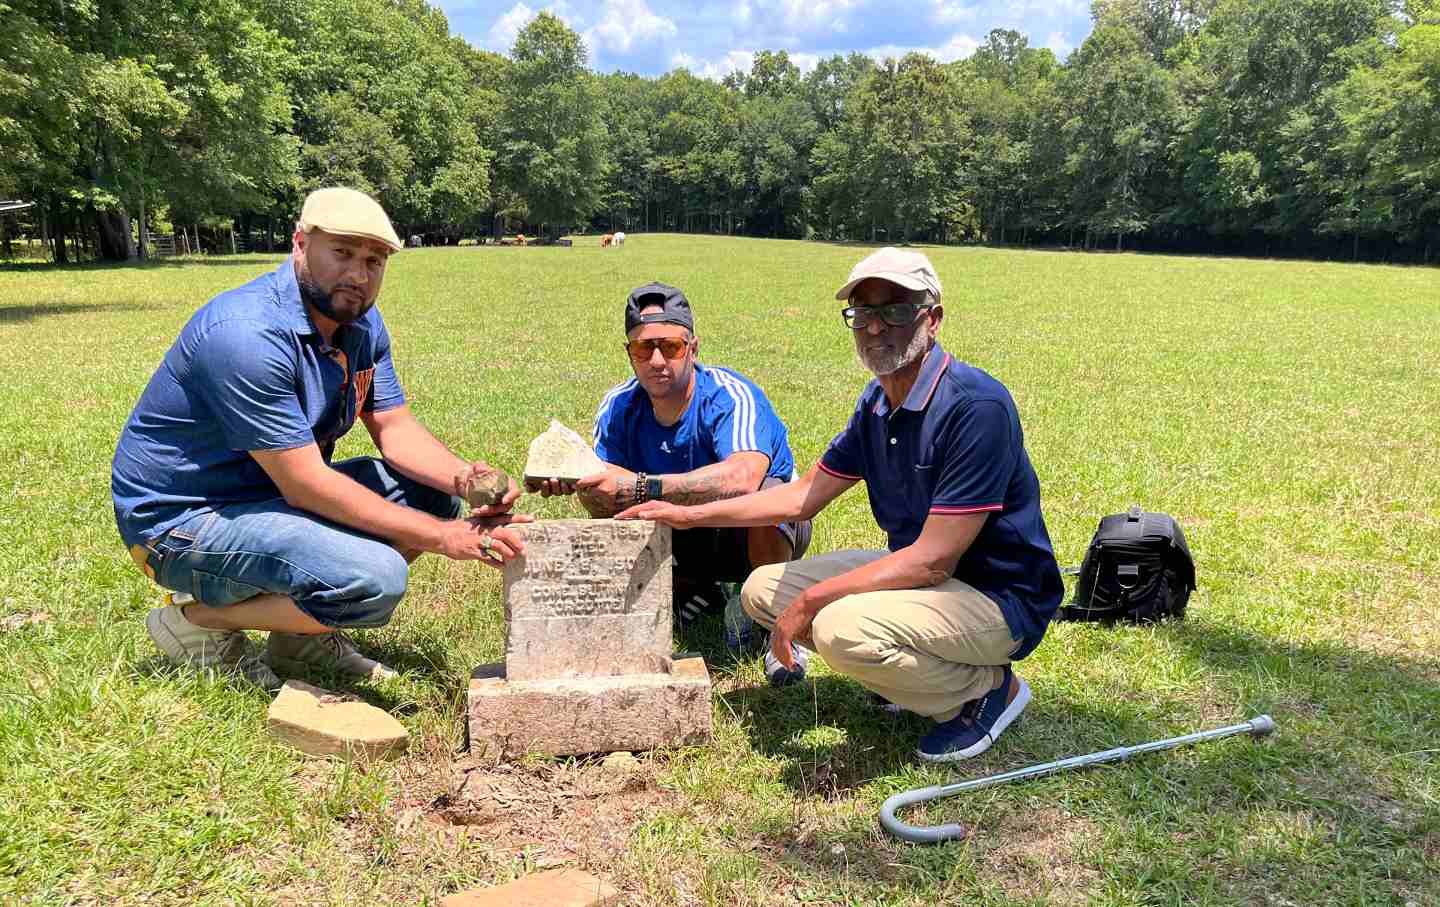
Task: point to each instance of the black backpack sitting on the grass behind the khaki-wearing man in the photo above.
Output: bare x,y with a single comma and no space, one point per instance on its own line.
1138,568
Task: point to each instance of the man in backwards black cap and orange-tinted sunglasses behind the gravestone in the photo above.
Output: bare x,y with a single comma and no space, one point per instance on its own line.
686,433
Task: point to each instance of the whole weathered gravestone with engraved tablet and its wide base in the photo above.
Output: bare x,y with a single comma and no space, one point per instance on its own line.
588,649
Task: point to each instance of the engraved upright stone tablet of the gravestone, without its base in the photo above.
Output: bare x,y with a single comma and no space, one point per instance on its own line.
588,598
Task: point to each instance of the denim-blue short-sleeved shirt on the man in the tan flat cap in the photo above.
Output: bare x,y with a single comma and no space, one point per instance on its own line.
250,372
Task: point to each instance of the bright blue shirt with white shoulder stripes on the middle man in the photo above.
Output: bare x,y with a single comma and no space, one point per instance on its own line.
728,414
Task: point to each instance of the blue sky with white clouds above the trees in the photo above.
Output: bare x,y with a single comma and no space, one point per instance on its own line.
712,38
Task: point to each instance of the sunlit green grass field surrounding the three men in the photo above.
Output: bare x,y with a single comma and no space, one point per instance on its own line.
1288,414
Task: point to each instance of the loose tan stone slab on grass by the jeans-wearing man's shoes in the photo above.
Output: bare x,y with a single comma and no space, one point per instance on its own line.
325,723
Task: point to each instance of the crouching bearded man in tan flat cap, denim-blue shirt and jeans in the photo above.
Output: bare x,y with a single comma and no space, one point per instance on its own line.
224,482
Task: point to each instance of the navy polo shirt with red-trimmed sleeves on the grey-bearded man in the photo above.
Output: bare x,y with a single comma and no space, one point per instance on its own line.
955,447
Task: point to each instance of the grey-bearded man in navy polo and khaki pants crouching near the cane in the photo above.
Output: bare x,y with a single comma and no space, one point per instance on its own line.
970,582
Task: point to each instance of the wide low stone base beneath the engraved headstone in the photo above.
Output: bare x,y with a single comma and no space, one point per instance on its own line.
588,715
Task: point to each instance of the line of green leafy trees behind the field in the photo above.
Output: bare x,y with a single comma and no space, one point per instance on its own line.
1310,127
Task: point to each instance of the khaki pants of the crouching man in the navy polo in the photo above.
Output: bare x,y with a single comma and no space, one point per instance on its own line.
925,650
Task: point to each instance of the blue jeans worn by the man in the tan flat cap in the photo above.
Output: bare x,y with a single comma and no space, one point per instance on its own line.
336,575
